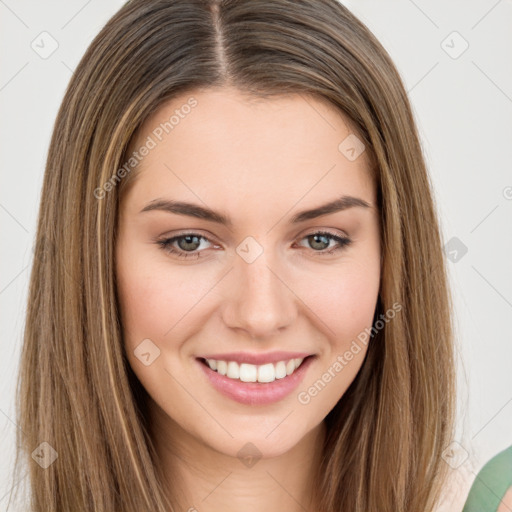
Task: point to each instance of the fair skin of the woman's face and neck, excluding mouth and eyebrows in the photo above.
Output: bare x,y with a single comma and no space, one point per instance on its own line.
258,162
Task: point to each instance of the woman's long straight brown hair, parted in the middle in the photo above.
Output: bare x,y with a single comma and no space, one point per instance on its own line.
76,390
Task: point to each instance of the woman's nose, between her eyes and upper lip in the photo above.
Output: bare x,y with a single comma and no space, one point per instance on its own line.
259,302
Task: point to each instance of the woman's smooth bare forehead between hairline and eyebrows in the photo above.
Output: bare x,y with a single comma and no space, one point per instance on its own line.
221,141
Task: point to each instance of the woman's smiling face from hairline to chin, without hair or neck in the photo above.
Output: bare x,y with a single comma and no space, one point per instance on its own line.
225,253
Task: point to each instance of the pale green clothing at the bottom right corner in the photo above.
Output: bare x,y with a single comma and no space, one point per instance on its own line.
491,484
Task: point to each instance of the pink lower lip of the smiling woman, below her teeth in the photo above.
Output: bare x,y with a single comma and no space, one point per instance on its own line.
256,393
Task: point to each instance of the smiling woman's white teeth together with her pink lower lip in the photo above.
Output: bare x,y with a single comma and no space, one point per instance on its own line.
263,384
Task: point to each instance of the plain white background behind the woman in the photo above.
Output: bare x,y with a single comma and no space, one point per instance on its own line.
455,60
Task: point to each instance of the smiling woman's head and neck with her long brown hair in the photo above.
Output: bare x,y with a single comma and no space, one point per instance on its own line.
239,297
